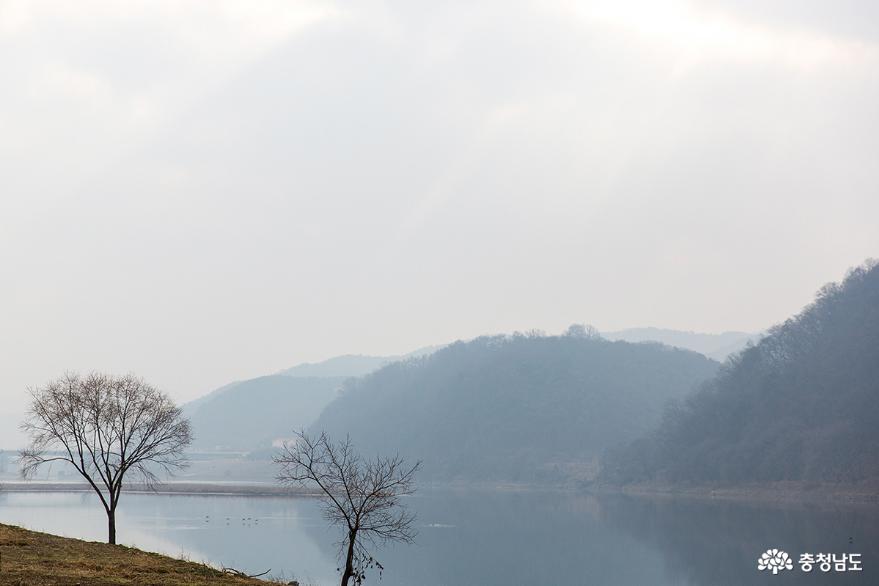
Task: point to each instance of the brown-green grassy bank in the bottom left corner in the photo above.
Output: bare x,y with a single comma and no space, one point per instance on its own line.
37,559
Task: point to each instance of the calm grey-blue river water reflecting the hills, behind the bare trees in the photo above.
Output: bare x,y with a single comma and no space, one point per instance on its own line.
484,538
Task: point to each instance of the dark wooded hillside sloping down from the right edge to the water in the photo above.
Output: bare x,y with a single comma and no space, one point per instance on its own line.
802,404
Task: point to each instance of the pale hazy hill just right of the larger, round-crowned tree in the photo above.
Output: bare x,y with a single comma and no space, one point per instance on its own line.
250,414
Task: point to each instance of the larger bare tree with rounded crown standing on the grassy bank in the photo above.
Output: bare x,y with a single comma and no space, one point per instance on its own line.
105,427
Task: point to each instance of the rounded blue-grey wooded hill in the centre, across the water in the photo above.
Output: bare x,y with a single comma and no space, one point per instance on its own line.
519,408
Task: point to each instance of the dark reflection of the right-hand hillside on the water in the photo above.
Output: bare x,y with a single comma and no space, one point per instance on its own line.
718,543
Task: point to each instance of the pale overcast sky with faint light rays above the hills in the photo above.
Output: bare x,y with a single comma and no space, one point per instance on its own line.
201,192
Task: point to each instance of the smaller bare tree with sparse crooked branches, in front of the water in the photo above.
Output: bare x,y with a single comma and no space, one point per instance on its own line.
362,496
